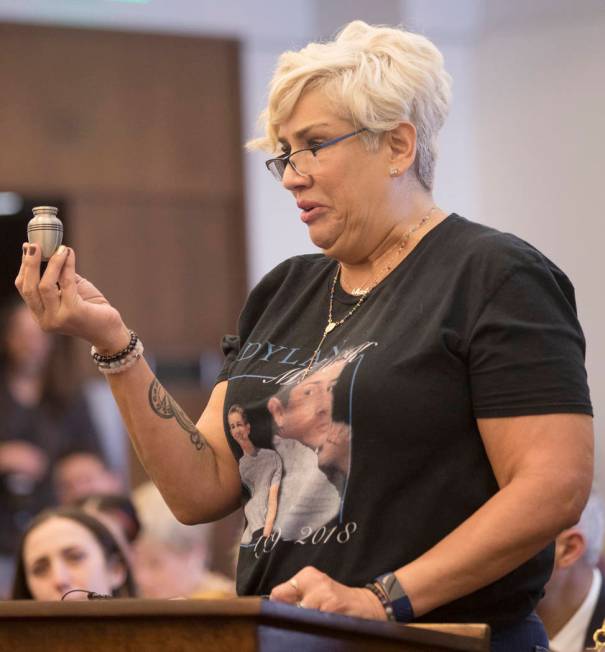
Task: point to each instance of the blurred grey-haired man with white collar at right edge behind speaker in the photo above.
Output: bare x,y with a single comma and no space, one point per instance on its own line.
573,607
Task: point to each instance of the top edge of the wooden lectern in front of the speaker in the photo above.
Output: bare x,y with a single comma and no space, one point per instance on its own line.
469,637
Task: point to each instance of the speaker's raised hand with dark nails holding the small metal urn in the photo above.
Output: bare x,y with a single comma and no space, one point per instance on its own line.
64,302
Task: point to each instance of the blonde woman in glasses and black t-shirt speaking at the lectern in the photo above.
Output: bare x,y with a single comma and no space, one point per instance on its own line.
471,440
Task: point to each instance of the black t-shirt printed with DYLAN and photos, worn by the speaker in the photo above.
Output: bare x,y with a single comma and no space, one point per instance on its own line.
381,453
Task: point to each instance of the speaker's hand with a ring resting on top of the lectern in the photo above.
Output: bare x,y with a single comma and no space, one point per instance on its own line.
312,589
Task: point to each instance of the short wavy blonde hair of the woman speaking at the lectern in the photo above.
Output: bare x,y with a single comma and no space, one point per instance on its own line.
377,77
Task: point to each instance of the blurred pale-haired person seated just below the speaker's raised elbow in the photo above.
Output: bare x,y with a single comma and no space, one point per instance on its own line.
170,559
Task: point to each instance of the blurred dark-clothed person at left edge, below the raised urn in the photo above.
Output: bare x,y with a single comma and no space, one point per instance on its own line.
43,417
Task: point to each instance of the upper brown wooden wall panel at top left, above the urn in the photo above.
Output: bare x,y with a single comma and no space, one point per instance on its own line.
114,111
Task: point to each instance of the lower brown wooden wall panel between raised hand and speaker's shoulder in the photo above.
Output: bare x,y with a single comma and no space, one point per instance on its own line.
165,264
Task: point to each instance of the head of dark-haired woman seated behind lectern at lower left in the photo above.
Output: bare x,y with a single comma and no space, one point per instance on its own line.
68,550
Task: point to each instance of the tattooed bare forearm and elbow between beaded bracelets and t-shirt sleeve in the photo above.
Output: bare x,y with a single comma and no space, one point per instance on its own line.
191,464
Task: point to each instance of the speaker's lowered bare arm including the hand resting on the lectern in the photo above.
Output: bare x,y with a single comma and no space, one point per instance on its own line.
544,467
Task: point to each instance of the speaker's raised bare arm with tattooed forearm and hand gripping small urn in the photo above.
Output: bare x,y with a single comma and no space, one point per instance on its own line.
191,464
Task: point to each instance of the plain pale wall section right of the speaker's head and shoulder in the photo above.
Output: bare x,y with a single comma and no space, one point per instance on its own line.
540,148
